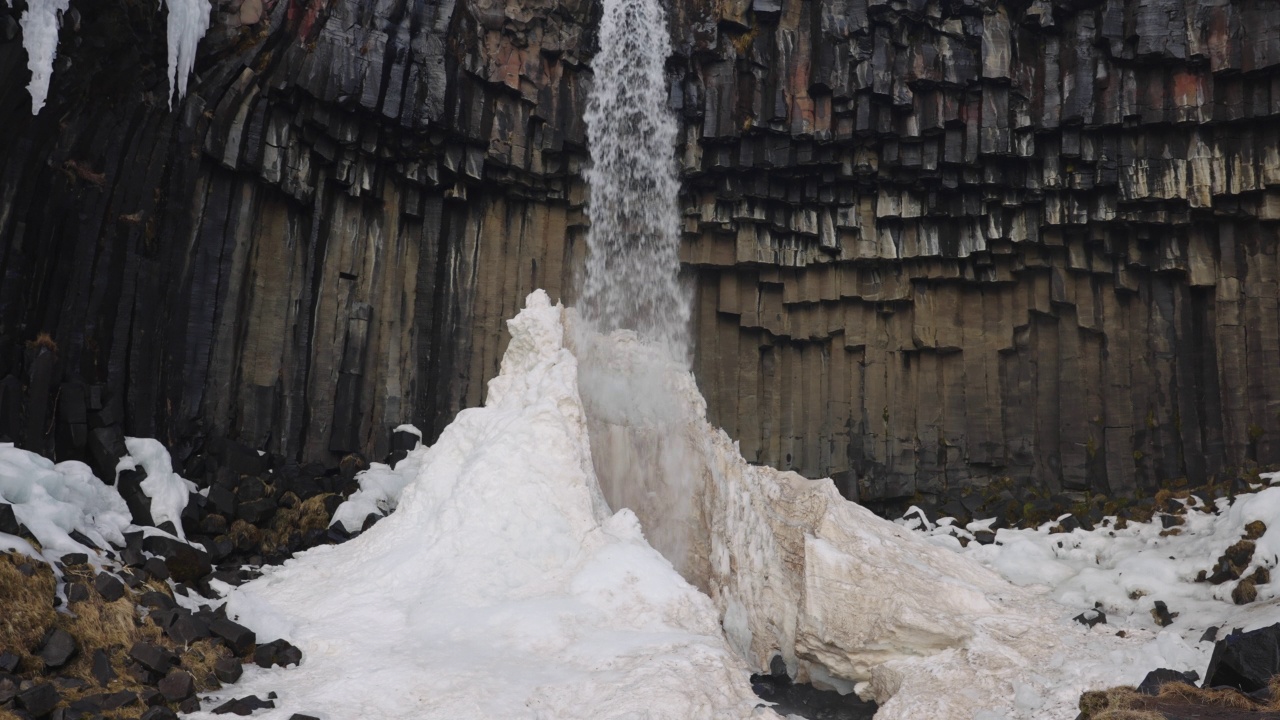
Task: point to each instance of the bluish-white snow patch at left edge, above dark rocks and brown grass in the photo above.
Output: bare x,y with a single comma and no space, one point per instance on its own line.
56,500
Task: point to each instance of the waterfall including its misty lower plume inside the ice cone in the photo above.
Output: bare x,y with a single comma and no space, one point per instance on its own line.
633,290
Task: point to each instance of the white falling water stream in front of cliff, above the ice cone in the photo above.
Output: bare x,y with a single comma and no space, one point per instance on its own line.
633,267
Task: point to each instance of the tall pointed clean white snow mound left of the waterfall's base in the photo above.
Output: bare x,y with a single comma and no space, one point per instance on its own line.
504,578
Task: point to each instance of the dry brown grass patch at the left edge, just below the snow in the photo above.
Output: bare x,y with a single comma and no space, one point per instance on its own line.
29,607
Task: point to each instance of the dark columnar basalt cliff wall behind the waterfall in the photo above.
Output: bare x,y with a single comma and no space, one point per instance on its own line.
934,243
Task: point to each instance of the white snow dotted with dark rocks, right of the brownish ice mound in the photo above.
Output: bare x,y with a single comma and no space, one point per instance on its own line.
1124,572
